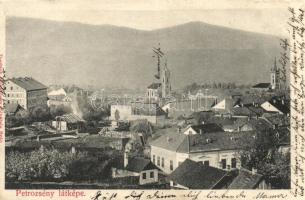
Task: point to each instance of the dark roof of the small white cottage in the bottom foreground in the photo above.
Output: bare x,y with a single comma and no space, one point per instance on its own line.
137,164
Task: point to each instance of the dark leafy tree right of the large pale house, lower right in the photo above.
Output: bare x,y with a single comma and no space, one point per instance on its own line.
261,153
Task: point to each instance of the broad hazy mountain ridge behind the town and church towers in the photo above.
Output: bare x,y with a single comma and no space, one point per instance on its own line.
105,55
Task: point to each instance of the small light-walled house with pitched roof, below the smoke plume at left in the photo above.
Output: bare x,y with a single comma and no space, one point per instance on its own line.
68,122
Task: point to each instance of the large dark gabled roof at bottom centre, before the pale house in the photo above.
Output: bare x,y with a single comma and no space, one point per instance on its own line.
195,175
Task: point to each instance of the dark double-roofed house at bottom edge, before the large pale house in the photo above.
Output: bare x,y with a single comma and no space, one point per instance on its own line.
196,175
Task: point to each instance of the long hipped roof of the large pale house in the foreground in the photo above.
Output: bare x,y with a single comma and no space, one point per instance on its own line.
183,143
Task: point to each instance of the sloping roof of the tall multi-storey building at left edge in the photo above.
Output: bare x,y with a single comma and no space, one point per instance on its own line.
28,83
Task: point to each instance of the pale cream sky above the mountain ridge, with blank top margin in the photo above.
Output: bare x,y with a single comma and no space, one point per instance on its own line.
262,16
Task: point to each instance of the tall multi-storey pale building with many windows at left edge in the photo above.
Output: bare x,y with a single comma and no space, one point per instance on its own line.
27,92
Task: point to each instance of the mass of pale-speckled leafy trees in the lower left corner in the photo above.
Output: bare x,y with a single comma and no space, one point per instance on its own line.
42,164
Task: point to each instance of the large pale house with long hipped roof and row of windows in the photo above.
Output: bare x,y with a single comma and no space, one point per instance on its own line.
216,149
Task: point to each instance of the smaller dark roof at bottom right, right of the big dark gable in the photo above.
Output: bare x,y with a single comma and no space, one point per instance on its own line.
245,180
